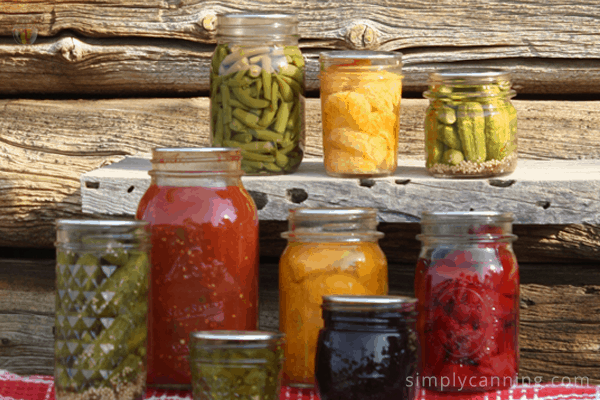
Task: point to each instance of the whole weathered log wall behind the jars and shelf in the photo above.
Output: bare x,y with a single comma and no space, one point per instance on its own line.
108,79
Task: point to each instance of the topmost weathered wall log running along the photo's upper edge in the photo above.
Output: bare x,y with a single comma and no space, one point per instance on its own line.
537,28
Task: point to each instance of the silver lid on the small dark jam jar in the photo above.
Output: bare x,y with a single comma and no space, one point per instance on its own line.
379,303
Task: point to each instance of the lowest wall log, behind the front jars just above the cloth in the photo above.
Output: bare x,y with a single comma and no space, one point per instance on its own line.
559,332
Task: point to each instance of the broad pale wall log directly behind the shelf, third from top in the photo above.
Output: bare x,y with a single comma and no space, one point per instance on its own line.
45,146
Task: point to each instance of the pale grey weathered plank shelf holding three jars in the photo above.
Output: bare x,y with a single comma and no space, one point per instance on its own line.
538,192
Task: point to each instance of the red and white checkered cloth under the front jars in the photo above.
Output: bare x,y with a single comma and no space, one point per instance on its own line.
37,387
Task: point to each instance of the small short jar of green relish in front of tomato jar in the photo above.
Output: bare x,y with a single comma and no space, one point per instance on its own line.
236,364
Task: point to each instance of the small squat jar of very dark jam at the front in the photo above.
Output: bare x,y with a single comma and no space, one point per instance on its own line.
368,348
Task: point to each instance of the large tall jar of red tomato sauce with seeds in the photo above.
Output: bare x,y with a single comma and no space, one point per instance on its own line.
204,274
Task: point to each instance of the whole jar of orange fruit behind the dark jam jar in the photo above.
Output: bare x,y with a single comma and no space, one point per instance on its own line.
330,251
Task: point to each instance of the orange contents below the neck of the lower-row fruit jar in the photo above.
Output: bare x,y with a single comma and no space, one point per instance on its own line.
309,271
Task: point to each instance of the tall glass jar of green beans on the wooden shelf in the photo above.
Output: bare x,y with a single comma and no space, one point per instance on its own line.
257,91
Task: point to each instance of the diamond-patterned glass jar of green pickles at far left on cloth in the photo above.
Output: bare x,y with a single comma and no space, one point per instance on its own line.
101,309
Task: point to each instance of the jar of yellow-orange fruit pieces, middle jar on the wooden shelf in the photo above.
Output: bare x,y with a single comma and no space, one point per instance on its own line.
360,104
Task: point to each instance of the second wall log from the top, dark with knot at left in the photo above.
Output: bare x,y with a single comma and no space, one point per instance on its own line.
69,64
